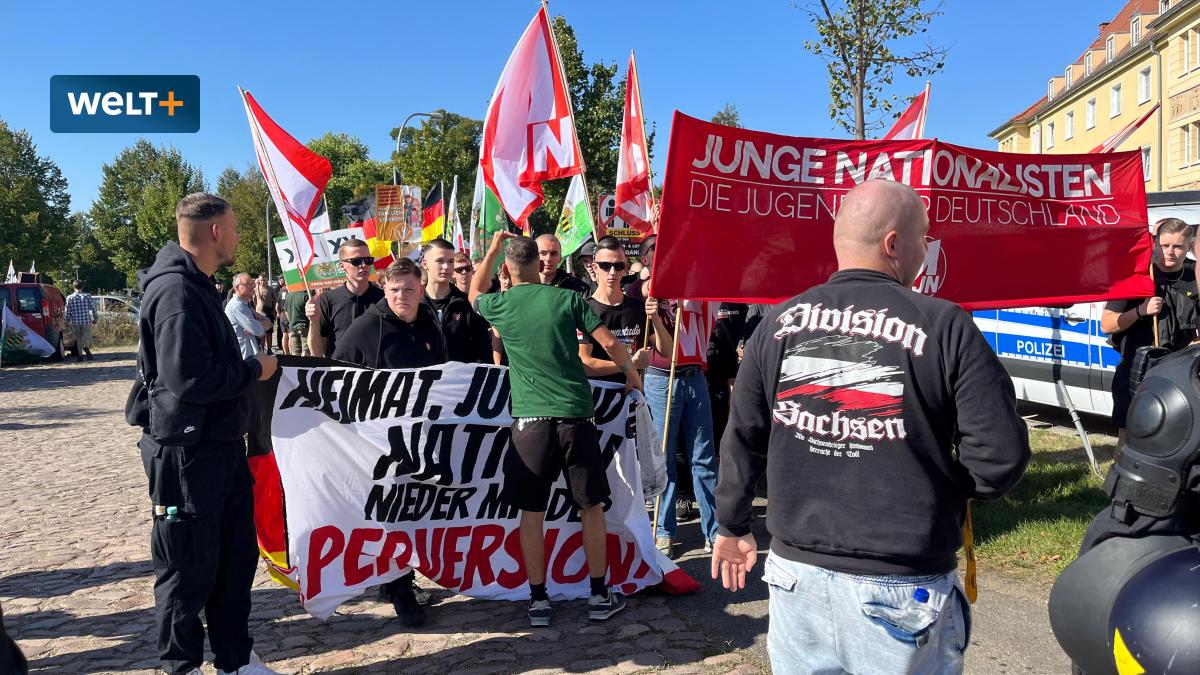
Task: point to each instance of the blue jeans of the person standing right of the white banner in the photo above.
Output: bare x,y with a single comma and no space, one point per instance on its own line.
692,425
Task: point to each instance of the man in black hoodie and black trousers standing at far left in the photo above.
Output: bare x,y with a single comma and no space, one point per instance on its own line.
193,407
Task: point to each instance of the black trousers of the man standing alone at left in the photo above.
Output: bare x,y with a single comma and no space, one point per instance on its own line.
205,558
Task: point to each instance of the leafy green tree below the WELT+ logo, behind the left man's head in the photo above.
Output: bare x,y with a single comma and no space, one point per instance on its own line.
135,213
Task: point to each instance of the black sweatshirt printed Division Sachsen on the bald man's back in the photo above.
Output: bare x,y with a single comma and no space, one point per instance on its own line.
877,414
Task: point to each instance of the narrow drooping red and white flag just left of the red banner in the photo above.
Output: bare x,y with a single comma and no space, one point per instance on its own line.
634,199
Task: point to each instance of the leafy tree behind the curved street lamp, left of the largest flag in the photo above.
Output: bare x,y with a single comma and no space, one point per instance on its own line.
439,151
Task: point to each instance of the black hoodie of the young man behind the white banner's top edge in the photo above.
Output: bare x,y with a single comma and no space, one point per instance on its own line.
380,339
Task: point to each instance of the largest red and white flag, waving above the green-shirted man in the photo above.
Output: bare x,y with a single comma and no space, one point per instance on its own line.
530,128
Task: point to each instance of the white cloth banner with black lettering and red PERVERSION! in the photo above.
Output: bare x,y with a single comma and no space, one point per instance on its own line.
388,469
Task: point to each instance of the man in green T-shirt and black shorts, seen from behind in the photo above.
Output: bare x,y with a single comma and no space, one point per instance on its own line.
554,417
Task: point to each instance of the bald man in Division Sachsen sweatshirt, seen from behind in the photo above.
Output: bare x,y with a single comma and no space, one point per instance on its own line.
877,414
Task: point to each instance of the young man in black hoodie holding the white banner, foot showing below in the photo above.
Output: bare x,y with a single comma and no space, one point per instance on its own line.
397,332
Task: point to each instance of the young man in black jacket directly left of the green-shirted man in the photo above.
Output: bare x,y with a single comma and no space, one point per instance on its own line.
465,332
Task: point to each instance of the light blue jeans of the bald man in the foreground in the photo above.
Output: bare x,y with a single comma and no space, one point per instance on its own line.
829,623
